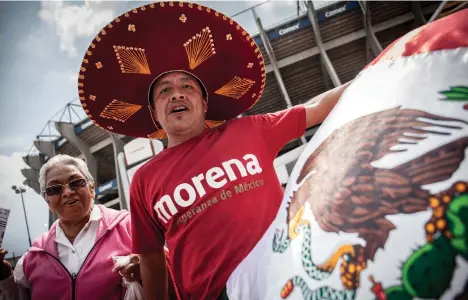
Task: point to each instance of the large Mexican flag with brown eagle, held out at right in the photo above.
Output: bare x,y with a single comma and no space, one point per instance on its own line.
377,204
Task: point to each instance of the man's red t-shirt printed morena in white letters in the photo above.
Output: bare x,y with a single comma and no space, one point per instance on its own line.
212,198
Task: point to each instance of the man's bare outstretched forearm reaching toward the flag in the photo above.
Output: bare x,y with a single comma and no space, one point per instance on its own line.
320,106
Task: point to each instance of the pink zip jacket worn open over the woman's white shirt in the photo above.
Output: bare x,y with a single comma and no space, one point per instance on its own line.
49,279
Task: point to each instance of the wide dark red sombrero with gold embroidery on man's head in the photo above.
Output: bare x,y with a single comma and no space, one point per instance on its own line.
130,52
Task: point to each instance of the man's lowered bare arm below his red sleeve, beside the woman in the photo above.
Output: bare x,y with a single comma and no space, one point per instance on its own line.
154,275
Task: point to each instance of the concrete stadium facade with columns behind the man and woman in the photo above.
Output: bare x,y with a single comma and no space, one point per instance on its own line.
304,56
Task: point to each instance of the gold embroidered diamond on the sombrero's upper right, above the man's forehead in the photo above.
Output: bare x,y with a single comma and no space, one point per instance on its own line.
199,48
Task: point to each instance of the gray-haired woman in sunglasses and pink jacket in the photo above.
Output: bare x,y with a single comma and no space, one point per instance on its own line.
74,259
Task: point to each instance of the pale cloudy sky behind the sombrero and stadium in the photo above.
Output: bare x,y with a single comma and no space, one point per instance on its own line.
42,48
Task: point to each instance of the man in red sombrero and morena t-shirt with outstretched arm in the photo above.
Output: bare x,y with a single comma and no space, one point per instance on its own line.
184,72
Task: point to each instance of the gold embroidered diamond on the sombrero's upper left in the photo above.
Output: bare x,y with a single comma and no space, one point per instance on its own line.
132,60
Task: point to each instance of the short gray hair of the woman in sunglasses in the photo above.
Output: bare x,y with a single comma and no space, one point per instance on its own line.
63,159
